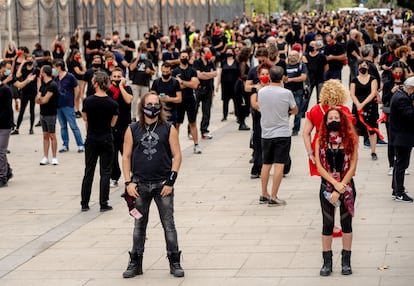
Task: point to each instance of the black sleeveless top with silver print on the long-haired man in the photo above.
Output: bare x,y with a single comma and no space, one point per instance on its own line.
151,154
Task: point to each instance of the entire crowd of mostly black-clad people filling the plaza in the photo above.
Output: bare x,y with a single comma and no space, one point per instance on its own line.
136,96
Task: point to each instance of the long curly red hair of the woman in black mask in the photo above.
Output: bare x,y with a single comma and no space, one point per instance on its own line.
346,131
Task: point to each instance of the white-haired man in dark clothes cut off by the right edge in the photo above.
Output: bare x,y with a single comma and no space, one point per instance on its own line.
402,136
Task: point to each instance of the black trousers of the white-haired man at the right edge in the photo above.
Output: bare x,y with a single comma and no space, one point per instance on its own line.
401,162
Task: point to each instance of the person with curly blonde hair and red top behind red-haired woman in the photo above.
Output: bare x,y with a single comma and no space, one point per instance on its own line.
332,94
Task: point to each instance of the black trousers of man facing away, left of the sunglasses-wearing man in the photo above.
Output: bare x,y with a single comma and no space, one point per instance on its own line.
104,150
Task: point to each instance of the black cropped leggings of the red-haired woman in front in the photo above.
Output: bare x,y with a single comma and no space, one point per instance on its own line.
328,214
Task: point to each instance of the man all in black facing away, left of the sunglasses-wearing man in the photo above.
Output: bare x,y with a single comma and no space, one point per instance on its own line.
100,113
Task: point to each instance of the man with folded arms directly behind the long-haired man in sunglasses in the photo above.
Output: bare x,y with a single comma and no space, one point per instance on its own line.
168,88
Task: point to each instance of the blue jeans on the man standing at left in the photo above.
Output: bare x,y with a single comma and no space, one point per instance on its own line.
67,115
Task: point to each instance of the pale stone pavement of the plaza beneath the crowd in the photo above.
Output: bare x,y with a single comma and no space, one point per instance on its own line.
227,238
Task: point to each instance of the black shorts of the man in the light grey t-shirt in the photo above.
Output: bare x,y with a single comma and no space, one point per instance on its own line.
276,150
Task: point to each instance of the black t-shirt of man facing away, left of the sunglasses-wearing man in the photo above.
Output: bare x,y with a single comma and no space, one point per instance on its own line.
99,112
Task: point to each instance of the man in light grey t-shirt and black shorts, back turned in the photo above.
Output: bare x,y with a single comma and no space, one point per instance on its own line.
276,104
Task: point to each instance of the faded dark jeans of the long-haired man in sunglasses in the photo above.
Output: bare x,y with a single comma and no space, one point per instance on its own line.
165,205
